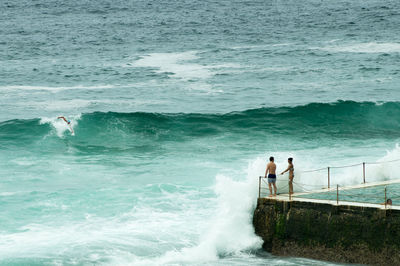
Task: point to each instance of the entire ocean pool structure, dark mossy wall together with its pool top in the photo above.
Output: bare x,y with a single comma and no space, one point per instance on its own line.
347,224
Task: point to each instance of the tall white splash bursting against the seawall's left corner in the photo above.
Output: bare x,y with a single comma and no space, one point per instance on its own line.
230,231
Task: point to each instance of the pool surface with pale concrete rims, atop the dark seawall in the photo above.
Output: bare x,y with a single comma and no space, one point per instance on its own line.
372,194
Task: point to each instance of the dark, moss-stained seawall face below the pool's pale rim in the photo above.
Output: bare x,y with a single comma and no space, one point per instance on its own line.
338,233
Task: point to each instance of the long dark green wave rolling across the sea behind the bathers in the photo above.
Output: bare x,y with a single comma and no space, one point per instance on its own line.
342,119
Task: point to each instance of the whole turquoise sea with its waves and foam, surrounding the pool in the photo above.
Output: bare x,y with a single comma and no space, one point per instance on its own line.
176,106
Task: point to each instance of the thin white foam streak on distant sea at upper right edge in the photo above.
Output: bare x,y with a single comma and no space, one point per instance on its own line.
371,47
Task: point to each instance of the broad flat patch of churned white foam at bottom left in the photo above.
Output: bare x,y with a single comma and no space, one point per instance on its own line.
121,237
